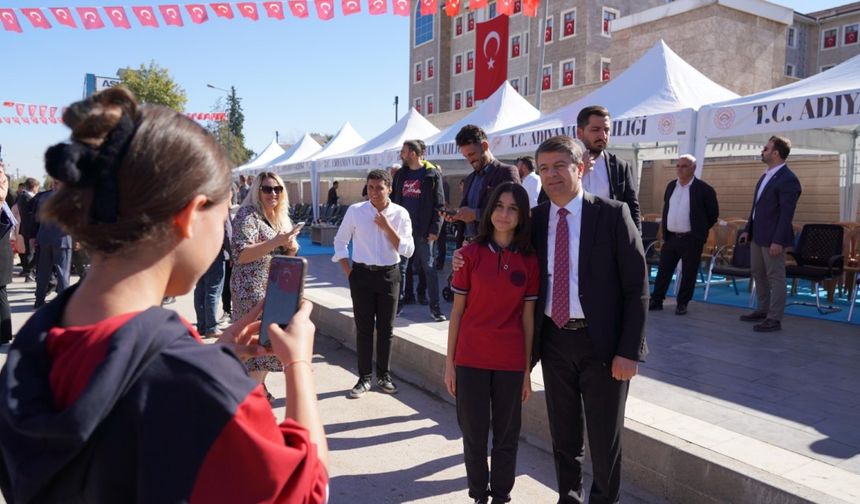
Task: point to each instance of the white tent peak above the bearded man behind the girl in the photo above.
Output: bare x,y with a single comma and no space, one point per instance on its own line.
504,109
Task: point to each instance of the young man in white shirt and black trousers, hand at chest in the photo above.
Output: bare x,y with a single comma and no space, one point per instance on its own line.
381,232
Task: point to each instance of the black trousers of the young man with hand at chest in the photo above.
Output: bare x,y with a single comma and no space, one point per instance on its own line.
374,303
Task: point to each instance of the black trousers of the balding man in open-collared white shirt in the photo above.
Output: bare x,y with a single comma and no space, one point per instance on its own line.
685,248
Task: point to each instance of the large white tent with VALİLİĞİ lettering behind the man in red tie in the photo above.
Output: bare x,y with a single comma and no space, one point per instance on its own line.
653,100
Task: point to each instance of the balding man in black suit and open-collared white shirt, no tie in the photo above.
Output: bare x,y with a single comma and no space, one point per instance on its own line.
690,208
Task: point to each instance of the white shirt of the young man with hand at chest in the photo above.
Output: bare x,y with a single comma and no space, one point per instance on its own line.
370,245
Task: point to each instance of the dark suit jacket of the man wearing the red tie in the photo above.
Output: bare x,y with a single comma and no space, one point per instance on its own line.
613,281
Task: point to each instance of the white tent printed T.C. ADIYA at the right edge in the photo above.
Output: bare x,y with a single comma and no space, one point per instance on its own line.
821,111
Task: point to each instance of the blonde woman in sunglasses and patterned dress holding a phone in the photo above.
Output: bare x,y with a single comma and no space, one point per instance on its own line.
261,229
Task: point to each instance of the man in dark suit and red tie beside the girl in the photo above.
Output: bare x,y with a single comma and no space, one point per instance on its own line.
590,319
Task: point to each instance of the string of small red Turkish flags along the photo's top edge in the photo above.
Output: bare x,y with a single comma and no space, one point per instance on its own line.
163,15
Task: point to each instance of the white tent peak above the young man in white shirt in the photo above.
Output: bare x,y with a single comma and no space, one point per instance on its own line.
380,151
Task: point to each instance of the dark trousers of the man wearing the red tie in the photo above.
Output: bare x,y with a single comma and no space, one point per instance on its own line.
580,390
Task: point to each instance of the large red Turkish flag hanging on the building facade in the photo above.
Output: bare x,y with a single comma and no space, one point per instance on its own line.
491,47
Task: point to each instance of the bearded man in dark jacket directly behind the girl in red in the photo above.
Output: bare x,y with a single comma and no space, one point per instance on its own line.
488,172
